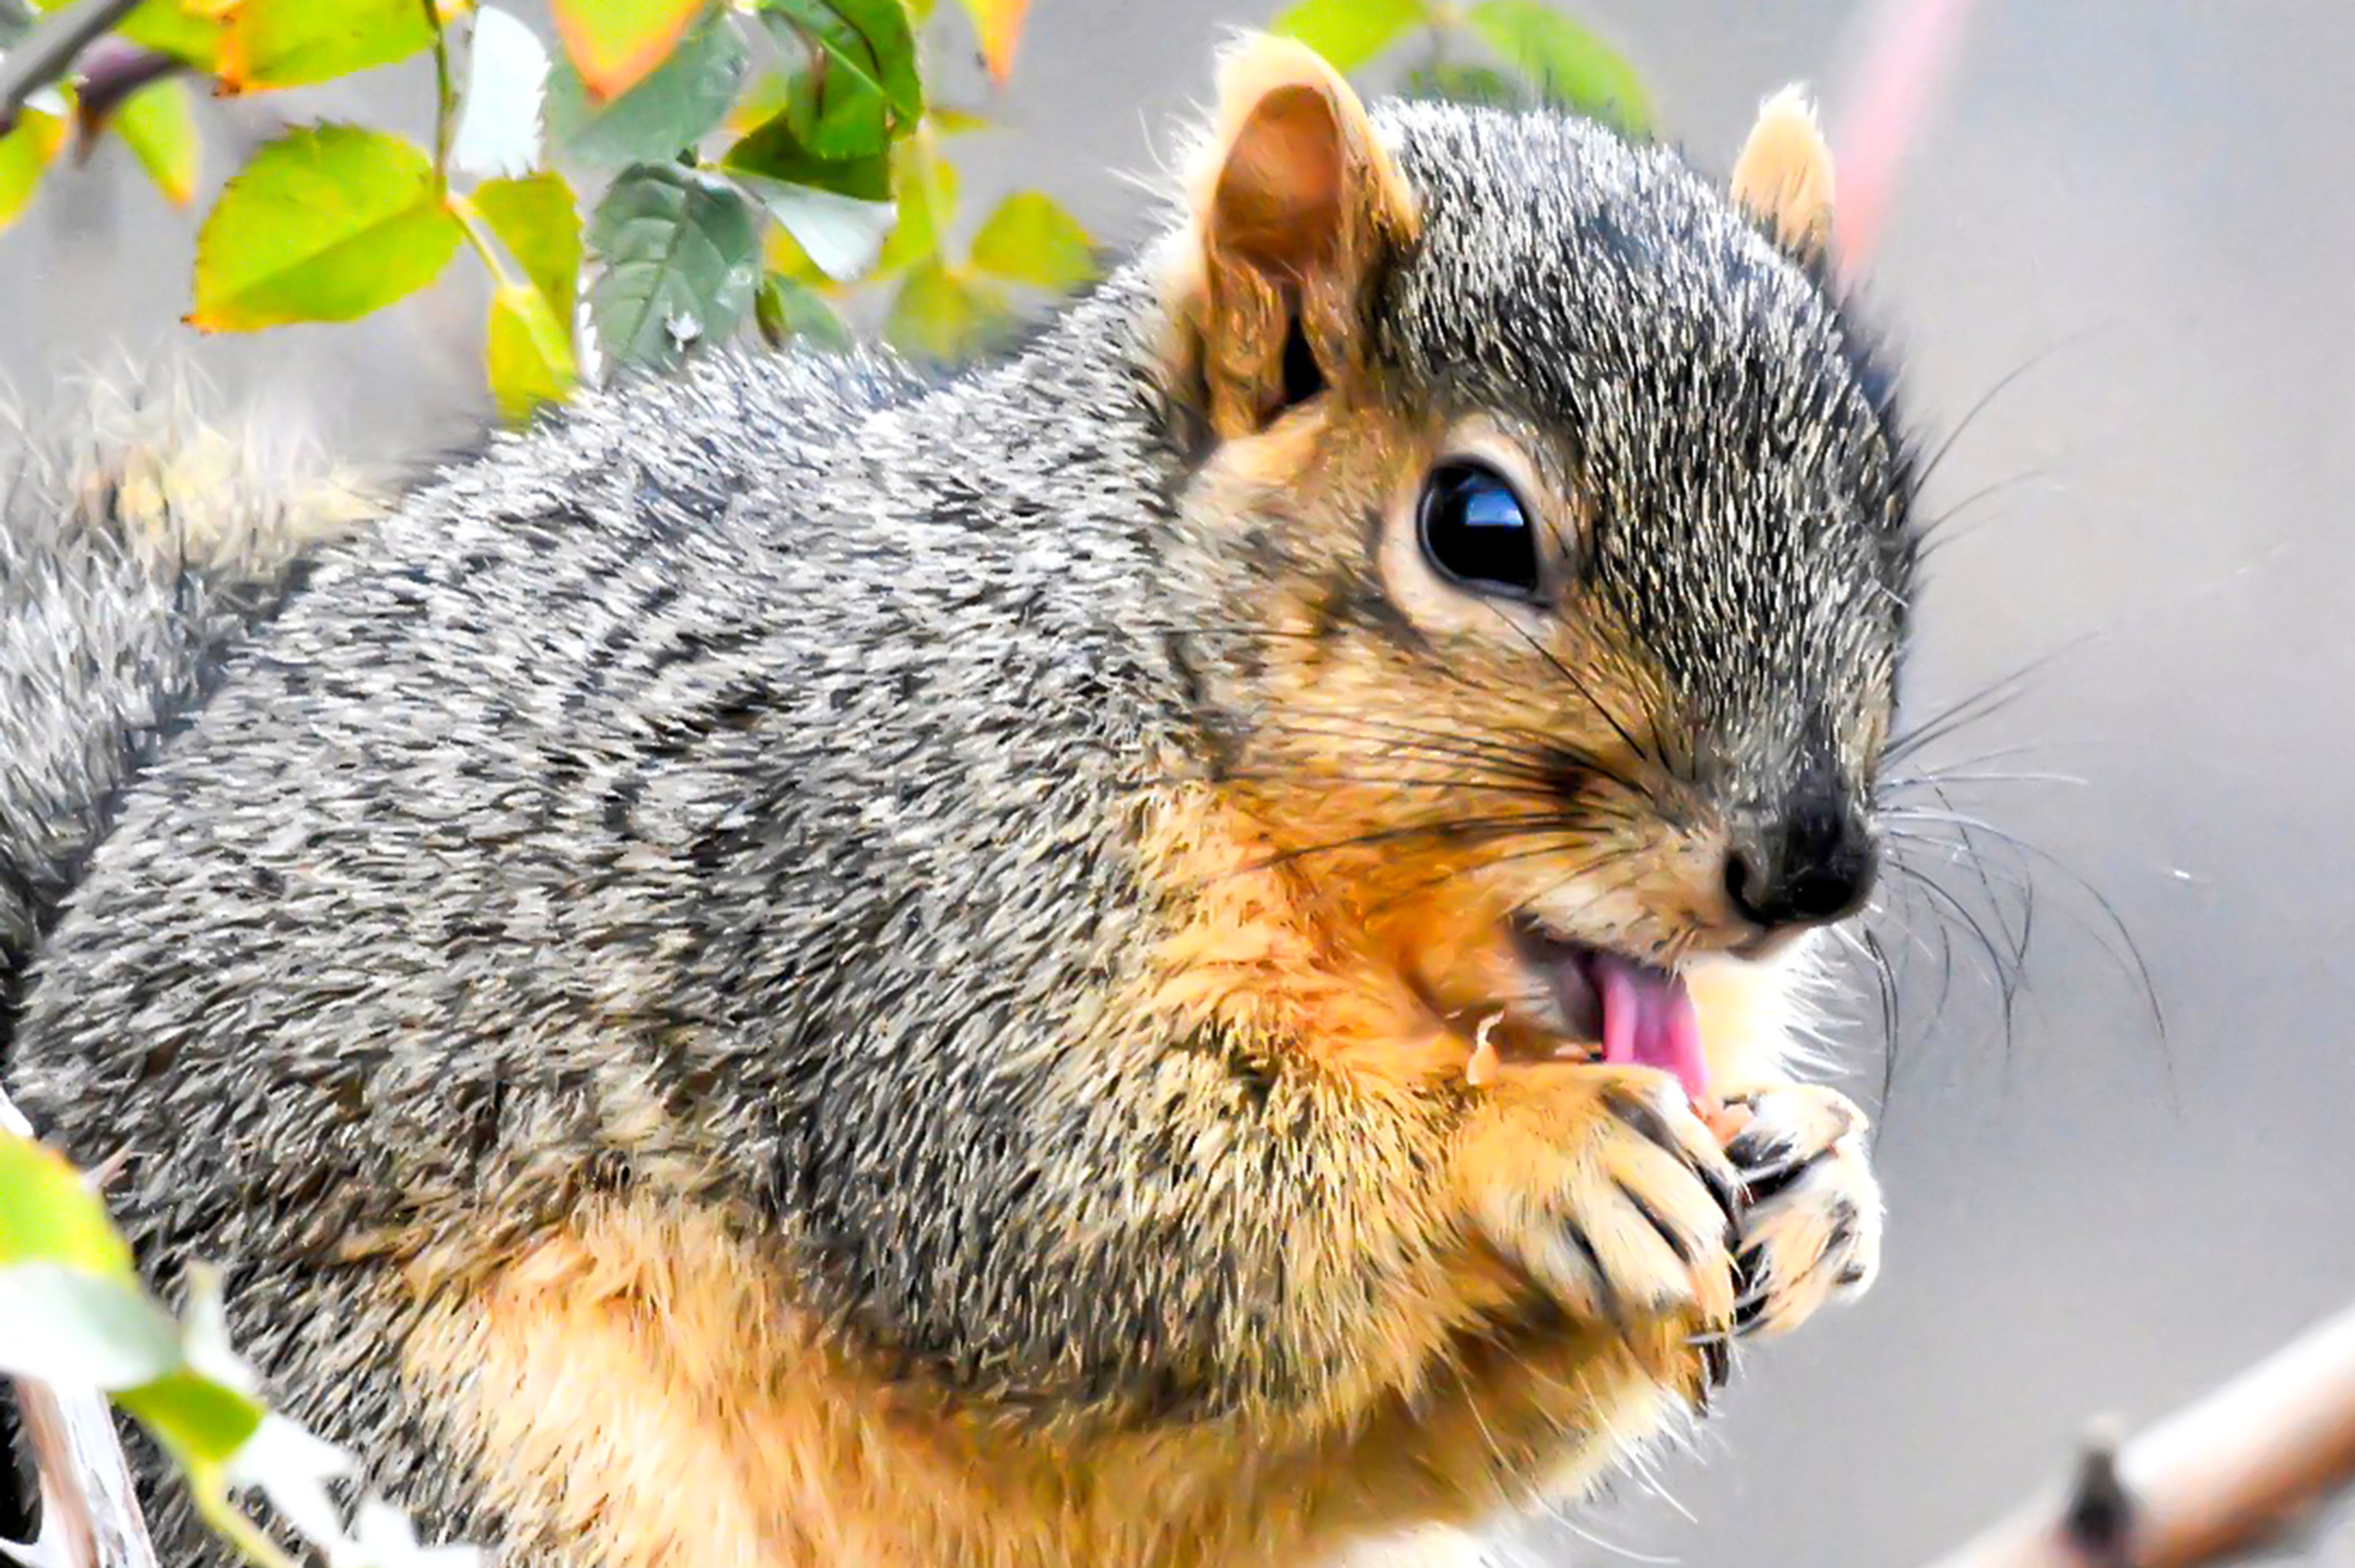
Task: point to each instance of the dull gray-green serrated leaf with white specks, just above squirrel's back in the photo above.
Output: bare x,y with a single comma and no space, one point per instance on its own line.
679,265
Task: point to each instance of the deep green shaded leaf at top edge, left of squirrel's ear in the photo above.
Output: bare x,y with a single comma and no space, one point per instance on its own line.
858,86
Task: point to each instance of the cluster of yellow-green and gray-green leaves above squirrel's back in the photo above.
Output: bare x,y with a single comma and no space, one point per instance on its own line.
696,171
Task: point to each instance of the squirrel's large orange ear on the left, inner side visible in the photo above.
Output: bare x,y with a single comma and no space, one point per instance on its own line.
1294,213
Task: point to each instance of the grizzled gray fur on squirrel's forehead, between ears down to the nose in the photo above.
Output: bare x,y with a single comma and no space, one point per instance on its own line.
1718,413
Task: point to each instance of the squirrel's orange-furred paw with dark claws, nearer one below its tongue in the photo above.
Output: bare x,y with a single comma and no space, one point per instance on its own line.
1614,1197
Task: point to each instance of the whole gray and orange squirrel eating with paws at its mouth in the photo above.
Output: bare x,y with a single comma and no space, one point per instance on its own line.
1181,952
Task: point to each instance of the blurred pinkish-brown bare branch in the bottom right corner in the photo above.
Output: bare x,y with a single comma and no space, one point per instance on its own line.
2220,1480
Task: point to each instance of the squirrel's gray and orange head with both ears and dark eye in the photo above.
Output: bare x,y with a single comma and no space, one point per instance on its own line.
1548,557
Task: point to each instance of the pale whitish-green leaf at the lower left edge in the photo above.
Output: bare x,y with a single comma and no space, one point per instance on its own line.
91,1329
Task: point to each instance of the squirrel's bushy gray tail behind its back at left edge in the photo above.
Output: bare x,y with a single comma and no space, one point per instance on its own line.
140,540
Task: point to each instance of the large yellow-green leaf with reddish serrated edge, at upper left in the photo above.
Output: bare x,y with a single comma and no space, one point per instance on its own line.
324,225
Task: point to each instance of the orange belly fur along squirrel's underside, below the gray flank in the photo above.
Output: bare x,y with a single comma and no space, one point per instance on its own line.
637,1390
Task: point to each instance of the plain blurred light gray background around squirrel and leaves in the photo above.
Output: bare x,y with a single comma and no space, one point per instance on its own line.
2147,206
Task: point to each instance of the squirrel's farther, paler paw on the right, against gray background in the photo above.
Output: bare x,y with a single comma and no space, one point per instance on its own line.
1812,1218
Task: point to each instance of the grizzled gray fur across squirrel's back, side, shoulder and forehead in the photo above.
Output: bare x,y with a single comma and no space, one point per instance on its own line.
769,745
